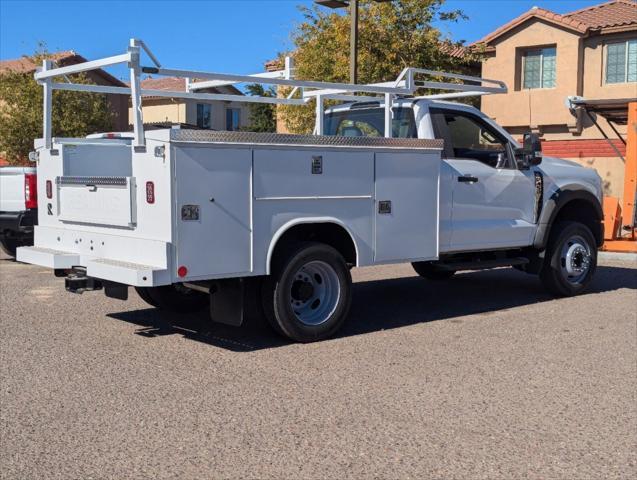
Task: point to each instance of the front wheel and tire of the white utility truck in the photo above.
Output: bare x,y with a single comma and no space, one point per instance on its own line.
570,261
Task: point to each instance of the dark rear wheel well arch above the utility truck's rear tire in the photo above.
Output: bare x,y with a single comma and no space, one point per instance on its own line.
328,233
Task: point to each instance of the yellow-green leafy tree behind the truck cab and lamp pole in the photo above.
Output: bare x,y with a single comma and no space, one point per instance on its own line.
392,36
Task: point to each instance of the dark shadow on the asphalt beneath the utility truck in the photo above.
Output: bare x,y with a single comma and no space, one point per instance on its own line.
383,305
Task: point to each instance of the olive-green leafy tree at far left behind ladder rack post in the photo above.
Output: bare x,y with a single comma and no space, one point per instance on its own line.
75,114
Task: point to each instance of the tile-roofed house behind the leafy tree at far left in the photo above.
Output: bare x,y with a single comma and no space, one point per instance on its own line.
118,103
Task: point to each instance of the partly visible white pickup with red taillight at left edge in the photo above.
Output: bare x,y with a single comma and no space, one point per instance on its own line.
18,207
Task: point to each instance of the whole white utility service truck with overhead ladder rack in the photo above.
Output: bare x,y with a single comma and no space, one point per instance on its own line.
199,219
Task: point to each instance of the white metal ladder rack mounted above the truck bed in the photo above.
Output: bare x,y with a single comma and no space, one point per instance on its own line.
303,91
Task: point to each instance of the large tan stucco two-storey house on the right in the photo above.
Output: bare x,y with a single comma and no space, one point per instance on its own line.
544,57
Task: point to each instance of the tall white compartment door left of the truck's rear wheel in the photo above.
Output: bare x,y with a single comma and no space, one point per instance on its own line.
214,232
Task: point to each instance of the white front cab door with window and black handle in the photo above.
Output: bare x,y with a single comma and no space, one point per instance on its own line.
493,202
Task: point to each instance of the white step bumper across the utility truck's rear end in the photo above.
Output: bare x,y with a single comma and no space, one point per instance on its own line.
105,269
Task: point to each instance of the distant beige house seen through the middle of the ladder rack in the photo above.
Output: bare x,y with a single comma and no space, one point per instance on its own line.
212,114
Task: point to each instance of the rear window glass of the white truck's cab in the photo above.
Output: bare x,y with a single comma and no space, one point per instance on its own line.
370,122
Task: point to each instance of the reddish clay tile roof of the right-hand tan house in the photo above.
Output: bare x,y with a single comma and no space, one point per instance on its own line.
613,14
